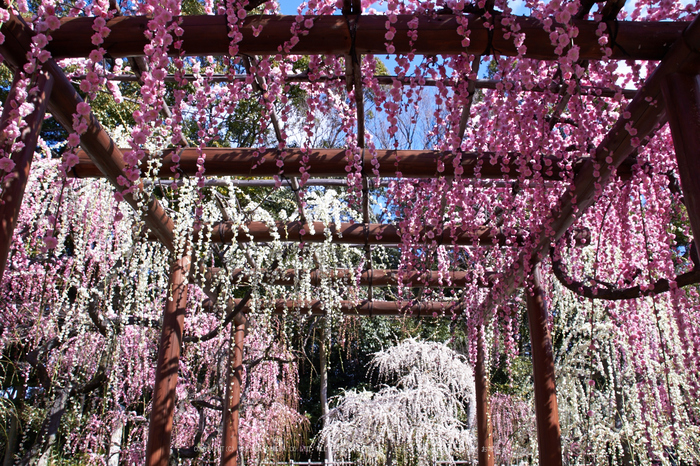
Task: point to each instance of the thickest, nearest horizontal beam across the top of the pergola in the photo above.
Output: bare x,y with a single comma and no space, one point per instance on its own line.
330,35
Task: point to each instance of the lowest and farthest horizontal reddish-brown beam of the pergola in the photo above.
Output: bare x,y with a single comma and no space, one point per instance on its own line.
363,308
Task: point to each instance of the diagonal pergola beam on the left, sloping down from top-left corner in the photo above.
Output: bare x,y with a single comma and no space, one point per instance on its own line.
95,142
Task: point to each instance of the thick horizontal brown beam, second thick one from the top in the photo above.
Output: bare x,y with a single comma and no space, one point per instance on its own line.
249,162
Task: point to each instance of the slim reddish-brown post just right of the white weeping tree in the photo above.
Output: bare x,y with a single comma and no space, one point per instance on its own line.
483,412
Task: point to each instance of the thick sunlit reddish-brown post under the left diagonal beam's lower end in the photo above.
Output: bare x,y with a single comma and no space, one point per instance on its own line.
161,423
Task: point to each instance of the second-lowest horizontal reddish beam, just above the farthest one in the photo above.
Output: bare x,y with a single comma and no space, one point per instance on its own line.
376,277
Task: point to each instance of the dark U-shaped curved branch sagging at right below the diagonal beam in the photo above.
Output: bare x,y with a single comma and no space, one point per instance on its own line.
614,294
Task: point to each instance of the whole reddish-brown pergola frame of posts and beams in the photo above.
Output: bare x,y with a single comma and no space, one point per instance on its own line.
670,94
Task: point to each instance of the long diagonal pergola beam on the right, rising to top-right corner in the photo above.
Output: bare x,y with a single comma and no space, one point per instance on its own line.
647,113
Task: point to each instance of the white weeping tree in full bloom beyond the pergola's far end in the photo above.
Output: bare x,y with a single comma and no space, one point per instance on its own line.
425,415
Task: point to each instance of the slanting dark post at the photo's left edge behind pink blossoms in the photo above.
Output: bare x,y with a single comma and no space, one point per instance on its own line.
16,181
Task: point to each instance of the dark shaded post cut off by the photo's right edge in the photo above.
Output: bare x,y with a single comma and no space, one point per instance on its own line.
682,95
